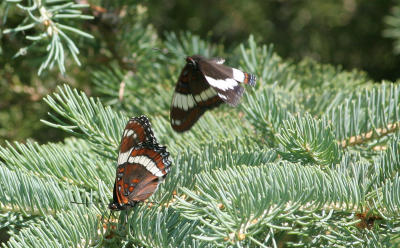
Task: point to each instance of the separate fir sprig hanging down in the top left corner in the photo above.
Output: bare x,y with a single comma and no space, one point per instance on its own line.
47,16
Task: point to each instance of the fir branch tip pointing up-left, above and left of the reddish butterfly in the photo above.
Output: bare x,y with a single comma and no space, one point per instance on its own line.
100,125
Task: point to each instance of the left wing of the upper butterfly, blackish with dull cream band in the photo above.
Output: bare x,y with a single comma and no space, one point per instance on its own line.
192,97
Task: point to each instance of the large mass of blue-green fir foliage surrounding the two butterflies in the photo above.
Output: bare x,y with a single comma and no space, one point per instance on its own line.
310,158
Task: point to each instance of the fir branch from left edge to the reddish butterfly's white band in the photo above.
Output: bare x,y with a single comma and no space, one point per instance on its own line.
72,166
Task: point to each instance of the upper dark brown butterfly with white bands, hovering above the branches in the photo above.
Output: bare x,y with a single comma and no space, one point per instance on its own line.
202,85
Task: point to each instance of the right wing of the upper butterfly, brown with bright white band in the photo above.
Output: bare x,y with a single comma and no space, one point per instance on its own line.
225,80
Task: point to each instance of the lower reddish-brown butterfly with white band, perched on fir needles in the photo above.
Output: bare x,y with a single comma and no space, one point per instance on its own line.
142,165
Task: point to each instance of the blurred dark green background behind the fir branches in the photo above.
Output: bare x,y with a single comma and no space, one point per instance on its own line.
346,32
